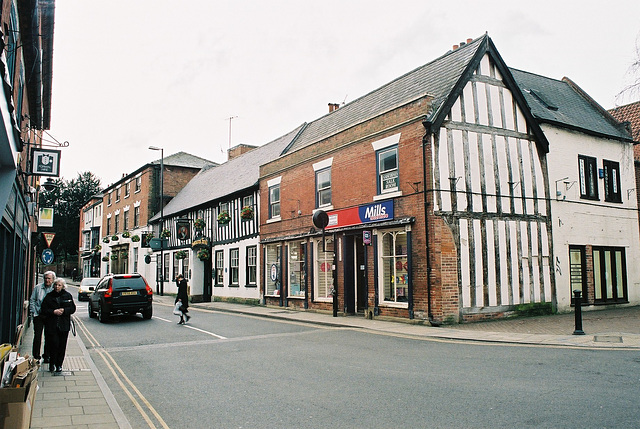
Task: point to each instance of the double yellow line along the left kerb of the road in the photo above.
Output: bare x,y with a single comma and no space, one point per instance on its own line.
121,378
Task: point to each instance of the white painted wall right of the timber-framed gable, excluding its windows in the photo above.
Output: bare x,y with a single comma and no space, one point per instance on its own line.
585,222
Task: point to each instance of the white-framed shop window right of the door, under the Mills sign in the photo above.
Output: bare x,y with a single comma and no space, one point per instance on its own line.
394,280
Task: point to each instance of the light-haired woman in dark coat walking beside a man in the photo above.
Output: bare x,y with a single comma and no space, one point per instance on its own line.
57,307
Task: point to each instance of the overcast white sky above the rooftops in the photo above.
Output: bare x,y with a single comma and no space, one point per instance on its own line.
128,74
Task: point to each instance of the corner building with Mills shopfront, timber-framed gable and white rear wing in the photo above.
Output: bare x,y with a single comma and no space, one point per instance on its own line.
436,190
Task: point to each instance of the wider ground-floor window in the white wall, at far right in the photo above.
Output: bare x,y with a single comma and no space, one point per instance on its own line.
609,275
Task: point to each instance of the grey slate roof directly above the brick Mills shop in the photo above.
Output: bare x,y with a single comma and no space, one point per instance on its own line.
436,78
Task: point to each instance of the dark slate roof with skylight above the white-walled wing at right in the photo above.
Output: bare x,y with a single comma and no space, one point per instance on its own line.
564,103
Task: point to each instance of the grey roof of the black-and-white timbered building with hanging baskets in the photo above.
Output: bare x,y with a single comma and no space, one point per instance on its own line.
235,175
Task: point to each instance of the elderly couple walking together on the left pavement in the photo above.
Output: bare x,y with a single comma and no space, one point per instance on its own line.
51,306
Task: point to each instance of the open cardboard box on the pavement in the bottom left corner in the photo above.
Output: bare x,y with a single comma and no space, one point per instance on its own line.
16,405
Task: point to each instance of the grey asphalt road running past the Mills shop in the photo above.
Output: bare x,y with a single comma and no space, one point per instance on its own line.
234,371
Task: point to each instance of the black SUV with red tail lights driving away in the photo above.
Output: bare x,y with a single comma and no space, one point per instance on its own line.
121,294
